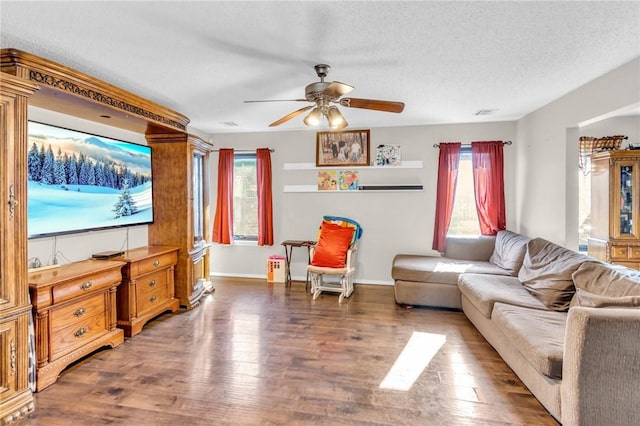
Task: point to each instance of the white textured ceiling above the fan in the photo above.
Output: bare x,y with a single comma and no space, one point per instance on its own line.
445,60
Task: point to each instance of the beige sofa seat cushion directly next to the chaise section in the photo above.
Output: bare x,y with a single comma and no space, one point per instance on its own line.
483,291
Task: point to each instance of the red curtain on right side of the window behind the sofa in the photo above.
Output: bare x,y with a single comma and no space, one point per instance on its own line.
488,182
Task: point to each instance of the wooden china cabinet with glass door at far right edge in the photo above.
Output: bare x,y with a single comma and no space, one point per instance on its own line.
615,207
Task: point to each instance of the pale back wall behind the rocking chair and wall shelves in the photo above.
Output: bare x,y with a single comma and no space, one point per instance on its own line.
393,222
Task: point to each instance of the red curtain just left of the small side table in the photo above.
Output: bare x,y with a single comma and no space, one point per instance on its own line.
265,205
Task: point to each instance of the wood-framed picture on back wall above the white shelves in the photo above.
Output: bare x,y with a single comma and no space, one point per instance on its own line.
343,148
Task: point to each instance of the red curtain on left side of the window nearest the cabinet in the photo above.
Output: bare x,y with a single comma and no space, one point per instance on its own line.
223,221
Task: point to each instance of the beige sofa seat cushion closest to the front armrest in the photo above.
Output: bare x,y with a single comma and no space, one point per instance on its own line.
537,334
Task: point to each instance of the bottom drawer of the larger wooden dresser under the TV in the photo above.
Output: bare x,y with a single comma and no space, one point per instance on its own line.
76,335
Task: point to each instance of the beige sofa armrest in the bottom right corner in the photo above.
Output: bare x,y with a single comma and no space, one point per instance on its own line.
601,367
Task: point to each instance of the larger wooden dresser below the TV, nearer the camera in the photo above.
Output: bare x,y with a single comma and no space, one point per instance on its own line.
74,314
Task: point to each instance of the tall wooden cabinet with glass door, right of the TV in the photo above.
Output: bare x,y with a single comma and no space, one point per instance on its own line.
182,216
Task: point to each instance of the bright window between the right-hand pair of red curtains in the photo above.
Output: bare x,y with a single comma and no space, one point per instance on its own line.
464,219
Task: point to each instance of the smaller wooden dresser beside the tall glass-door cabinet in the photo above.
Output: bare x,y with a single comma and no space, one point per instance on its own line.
148,286
